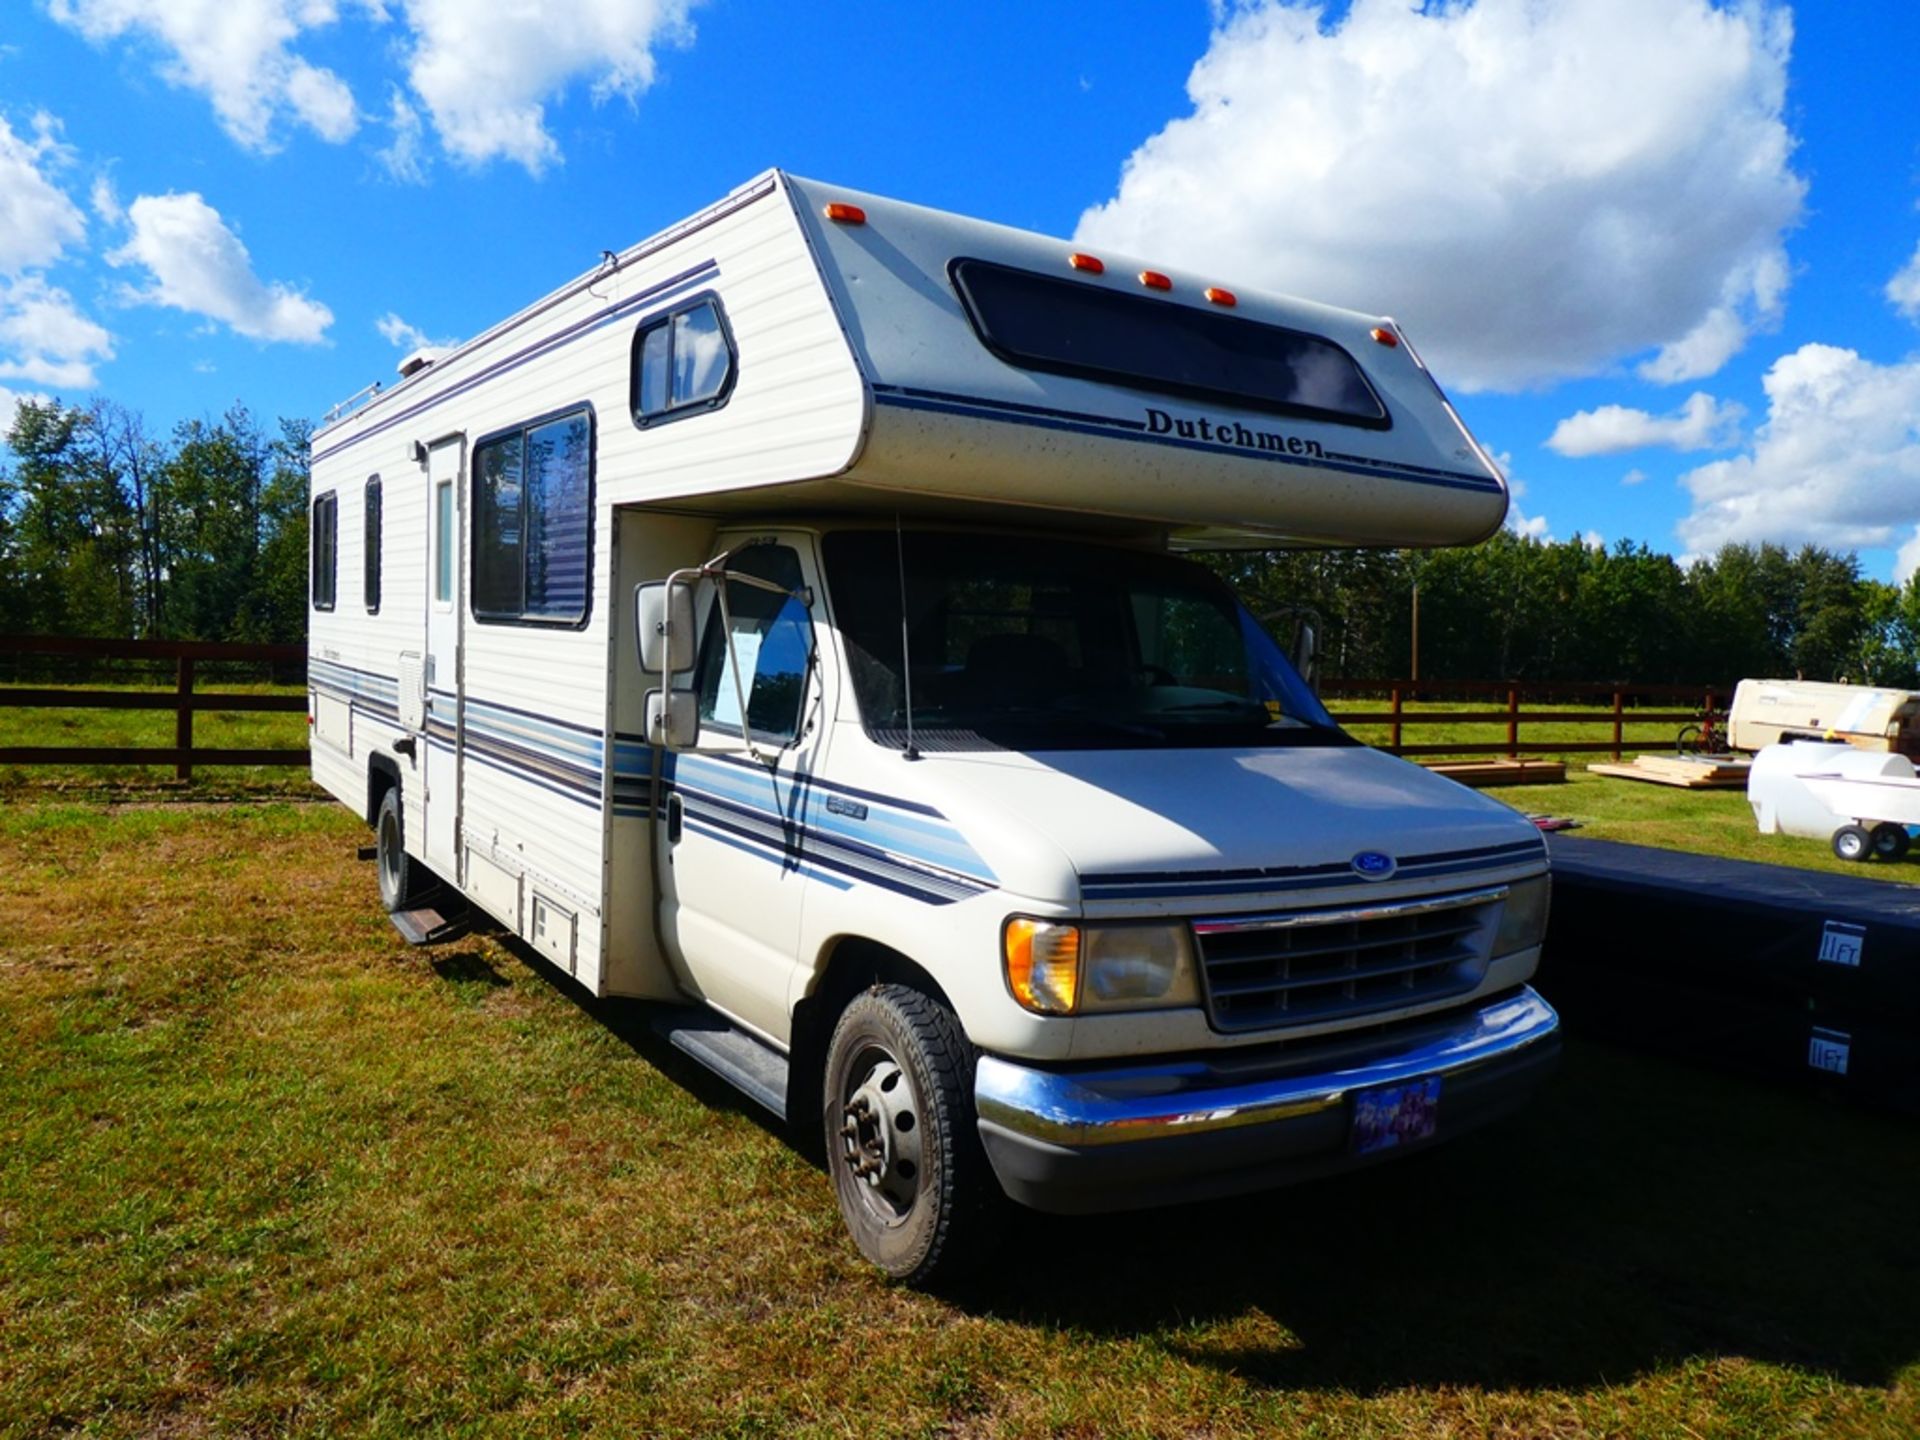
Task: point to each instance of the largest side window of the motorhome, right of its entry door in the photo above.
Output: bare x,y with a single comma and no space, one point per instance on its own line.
535,523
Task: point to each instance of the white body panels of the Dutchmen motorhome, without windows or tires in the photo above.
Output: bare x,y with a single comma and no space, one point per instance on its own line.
861,396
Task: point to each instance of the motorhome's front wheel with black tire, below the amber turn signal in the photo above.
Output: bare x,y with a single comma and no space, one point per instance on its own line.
903,1149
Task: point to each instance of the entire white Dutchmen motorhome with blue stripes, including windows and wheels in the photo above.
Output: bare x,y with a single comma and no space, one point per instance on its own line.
951,813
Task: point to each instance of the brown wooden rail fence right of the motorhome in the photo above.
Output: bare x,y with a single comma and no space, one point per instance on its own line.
1708,715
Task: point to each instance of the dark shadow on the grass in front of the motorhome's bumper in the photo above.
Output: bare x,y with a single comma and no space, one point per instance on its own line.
1637,1216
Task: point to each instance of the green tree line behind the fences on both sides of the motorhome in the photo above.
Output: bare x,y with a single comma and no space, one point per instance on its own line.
203,535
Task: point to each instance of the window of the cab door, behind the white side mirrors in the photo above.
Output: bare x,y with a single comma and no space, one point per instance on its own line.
773,644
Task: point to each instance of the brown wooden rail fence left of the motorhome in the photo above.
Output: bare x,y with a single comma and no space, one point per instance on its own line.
183,700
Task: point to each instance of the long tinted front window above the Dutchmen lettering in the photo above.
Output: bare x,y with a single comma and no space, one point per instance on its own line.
1076,327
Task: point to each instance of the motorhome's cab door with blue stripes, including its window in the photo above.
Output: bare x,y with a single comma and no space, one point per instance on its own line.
734,863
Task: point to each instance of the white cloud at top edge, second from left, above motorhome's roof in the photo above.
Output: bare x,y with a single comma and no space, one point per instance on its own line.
487,72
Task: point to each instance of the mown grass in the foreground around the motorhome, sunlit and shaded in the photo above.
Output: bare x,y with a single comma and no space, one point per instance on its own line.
268,1170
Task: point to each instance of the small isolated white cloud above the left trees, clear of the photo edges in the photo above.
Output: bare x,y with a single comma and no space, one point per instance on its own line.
199,266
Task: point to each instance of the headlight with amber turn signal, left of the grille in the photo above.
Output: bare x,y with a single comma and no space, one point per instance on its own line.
1059,969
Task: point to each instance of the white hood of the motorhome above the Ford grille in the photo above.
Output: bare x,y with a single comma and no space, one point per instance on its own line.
1164,828
